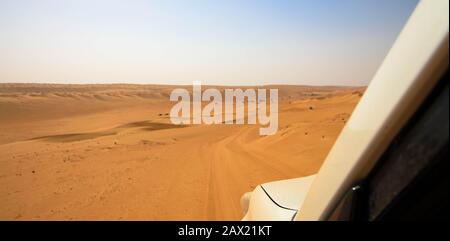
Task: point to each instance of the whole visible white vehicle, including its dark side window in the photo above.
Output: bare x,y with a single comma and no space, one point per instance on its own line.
390,160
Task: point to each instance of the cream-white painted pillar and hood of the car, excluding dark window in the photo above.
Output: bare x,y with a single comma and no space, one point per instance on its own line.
411,69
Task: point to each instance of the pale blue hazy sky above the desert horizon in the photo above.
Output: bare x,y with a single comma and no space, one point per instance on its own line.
326,42
